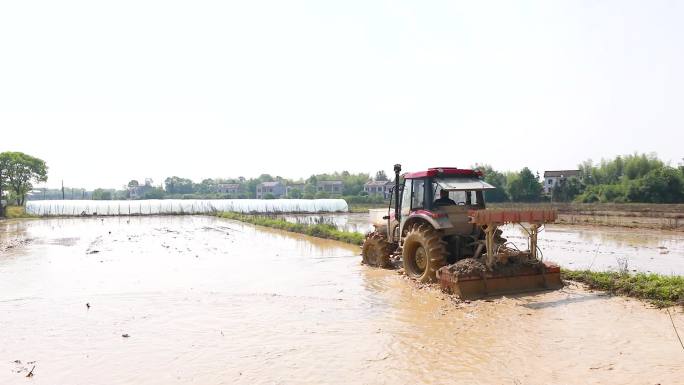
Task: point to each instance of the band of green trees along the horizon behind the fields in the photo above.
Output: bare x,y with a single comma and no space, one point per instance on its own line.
642,178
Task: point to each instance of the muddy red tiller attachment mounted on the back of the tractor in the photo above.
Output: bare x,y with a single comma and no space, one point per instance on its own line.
502,270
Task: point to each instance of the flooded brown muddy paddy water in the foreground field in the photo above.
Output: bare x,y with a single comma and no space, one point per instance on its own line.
210,301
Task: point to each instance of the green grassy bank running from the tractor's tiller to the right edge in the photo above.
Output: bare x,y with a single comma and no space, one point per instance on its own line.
661,290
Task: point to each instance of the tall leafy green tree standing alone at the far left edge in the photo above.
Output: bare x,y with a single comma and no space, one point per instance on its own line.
19,173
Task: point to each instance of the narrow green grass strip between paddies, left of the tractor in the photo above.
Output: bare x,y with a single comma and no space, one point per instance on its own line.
326,231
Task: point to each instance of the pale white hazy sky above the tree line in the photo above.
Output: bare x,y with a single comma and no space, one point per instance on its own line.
106,91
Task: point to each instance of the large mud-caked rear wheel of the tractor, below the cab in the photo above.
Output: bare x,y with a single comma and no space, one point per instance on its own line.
424,253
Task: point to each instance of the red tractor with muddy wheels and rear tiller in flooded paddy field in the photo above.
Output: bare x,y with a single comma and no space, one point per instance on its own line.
438,224
